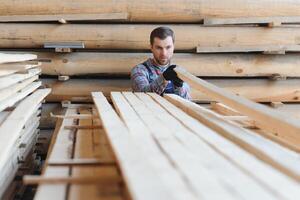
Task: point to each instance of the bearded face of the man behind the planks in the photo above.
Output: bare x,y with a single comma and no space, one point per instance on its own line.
162,50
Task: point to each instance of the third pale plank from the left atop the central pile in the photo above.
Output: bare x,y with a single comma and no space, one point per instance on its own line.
190,167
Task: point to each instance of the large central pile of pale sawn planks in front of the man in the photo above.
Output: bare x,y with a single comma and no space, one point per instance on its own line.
161,145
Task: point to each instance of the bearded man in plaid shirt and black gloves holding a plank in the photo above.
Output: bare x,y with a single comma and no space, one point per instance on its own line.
157,74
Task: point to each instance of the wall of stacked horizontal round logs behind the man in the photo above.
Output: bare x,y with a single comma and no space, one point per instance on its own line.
214,40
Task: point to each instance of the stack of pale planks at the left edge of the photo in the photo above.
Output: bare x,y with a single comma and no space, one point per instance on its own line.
20,103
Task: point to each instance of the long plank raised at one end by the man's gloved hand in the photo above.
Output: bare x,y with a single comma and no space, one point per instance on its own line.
268,119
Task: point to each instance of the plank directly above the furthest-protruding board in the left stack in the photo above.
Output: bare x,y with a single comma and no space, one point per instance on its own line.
8,102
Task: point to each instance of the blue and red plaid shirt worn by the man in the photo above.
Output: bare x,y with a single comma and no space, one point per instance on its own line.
152,80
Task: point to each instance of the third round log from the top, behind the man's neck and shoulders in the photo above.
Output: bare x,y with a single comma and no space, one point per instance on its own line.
233,65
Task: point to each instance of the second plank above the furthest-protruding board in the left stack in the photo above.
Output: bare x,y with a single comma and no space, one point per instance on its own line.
7,92
